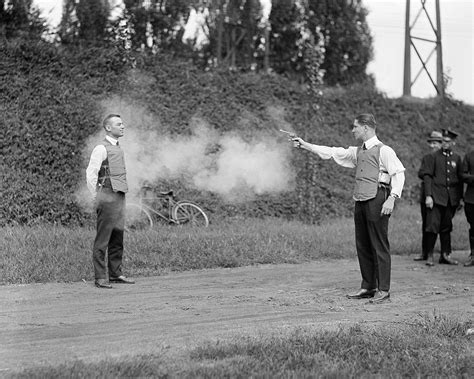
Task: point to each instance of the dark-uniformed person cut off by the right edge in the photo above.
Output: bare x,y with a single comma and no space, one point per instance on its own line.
468,176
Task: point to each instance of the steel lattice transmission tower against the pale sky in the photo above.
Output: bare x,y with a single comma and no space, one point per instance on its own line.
411,46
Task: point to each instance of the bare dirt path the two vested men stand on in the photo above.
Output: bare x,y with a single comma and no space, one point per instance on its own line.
56,322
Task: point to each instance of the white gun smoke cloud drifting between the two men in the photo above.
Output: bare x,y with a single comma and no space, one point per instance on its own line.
229,165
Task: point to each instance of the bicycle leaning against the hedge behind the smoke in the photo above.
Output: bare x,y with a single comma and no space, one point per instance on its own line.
141,215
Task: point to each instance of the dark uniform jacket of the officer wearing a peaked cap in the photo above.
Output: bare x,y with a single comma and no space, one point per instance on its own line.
442,177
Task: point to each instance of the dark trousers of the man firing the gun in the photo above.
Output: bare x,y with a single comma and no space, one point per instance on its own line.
373,248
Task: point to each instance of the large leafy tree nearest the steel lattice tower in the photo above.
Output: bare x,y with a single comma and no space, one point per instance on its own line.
341,23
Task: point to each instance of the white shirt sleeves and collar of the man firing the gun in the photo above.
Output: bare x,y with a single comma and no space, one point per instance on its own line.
388,160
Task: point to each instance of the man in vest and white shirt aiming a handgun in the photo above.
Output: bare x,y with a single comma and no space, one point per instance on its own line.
379,181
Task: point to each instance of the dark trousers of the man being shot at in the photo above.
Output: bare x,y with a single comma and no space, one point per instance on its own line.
109,235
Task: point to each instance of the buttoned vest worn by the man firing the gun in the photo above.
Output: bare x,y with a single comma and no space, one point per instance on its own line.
367,173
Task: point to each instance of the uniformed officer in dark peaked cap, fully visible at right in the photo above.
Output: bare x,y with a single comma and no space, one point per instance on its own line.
443,186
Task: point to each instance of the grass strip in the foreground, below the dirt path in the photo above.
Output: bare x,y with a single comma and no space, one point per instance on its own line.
357,351
